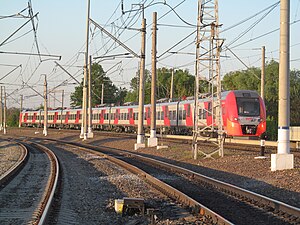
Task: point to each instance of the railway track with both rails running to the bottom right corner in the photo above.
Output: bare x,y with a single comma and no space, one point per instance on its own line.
237,205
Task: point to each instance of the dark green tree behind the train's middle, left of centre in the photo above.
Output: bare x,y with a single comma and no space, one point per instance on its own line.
112,94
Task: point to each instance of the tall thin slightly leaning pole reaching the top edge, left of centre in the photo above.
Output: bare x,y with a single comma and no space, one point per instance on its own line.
83,133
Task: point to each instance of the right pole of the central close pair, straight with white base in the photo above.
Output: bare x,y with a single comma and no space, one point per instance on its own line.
152,141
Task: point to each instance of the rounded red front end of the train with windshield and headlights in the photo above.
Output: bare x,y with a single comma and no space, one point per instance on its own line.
245,114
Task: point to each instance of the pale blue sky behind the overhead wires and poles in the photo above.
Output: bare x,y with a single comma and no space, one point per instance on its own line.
61,31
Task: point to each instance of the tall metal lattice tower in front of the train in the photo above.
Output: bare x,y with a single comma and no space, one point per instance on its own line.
208,79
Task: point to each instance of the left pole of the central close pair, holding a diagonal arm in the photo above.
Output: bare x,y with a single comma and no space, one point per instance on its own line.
140,134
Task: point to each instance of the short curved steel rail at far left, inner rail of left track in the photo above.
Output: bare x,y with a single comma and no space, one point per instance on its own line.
16,167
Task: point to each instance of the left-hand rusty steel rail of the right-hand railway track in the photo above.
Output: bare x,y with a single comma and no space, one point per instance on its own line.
168,190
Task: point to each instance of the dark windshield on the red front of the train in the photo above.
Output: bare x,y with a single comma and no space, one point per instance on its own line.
248,106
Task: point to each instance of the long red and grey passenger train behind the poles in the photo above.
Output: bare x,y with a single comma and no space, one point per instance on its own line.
244,114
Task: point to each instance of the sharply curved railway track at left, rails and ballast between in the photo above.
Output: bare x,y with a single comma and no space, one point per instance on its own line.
26,193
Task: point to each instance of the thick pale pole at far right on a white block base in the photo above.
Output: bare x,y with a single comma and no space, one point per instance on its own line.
283,159
